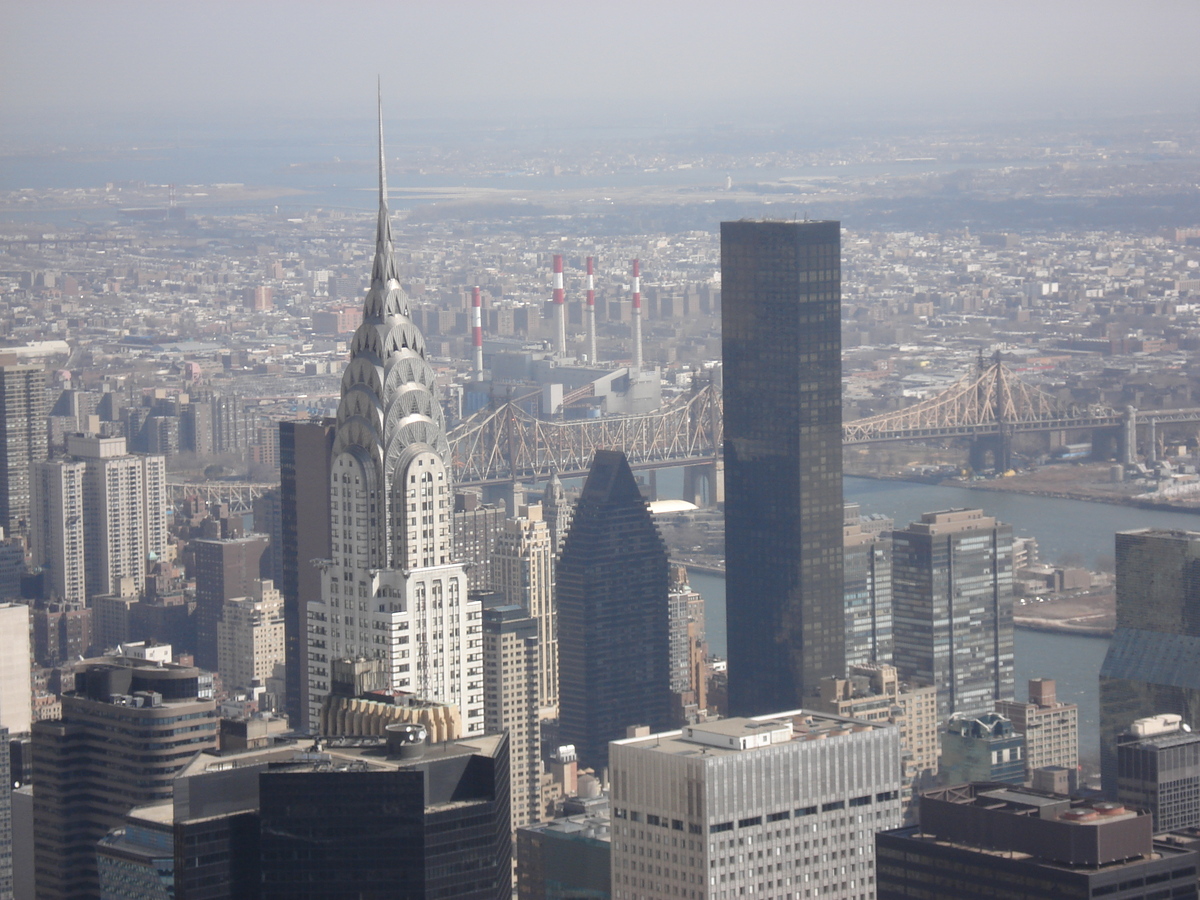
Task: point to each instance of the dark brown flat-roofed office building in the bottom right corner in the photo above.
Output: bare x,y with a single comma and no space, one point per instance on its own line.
979,842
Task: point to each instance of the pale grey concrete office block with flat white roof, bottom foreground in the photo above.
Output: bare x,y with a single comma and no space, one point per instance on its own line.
806,790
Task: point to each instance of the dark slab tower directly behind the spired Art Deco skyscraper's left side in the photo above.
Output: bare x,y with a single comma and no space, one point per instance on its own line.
305,448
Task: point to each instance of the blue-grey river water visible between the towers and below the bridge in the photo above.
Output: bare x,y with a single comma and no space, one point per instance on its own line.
1064,529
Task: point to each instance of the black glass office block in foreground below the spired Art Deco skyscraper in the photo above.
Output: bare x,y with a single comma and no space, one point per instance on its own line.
405,820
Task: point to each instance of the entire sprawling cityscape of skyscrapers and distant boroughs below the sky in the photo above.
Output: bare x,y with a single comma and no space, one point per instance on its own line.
335,562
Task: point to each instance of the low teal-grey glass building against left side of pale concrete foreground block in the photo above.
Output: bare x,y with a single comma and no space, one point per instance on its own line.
567,859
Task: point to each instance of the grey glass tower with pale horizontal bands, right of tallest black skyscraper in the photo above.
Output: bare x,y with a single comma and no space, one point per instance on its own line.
952,587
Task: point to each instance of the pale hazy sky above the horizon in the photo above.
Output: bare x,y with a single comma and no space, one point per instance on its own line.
607,61
